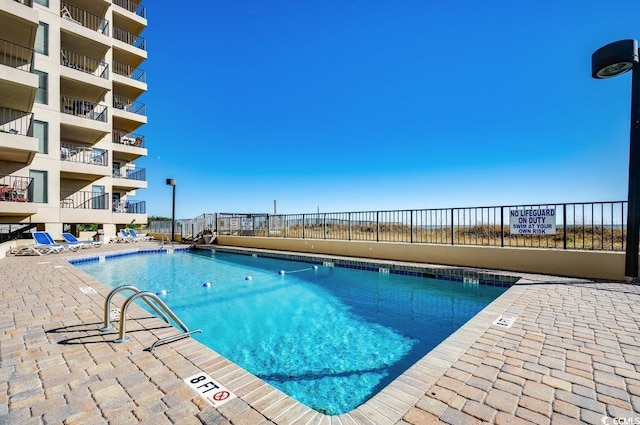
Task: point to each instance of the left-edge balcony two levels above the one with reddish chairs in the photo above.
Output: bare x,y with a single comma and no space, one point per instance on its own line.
17,84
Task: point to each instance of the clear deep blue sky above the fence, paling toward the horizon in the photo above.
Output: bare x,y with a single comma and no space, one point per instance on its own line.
336,105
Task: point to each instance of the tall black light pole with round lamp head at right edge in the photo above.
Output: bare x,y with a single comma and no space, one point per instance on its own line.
608,61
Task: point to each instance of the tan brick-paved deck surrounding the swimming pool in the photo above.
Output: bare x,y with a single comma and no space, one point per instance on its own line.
572,355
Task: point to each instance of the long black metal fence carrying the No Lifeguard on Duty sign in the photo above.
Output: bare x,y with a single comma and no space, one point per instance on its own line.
585,226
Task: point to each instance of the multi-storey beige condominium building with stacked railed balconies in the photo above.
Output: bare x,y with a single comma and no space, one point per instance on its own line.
70,79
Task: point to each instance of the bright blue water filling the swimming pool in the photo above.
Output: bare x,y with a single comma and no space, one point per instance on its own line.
330,337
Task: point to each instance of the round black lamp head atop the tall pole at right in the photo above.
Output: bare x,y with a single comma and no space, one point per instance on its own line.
614,59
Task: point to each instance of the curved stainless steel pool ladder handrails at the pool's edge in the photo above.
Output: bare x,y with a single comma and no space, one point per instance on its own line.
152,301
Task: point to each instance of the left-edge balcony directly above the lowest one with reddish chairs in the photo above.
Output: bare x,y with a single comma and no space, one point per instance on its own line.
17,143
